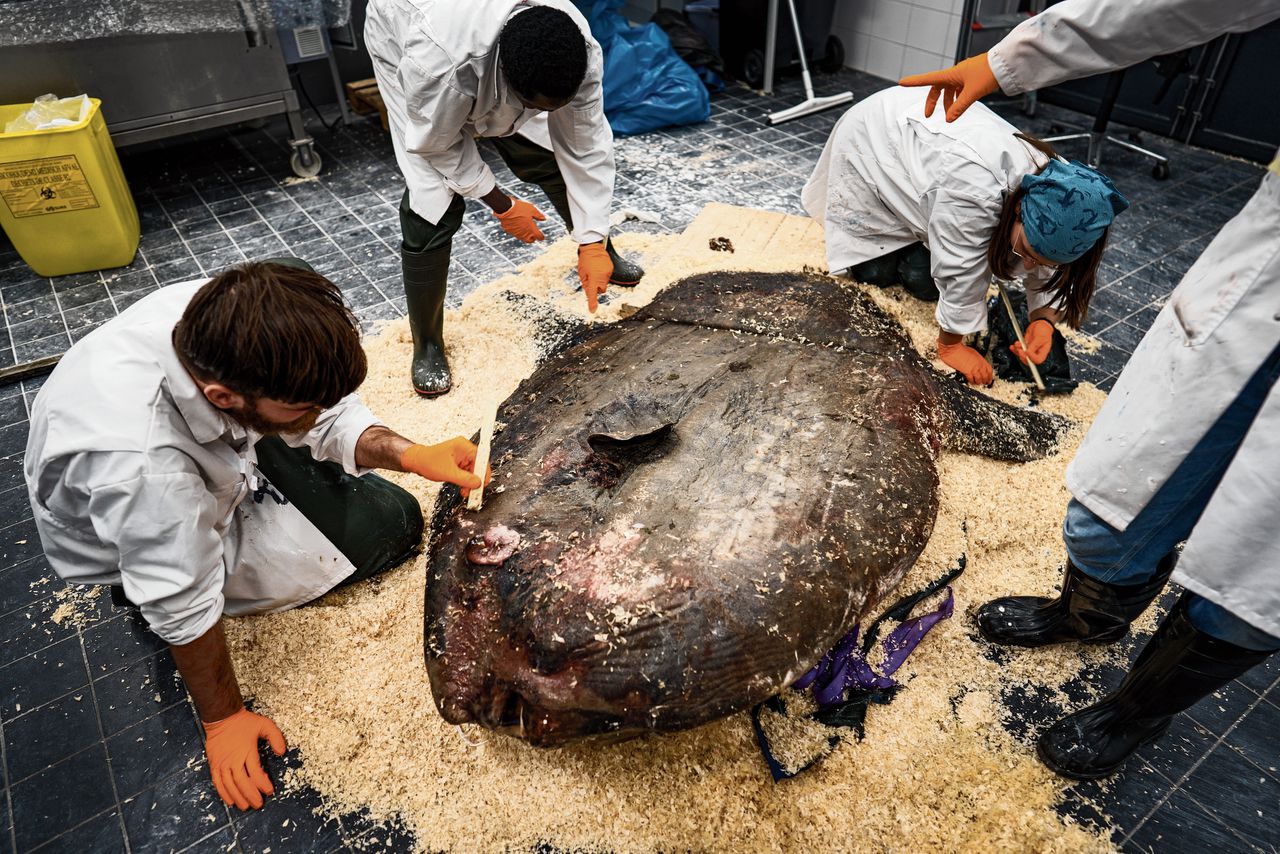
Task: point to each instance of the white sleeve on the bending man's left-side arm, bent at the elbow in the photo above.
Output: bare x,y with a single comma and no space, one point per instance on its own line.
437,131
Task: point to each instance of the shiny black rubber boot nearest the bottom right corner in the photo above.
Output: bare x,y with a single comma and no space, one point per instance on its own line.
1180,666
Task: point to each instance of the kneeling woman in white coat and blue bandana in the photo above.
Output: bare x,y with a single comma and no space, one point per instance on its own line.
941,208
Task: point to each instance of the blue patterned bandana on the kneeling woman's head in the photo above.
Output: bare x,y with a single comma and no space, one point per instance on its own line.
1067,209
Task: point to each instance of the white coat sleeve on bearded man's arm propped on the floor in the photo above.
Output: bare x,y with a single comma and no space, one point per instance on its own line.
164,529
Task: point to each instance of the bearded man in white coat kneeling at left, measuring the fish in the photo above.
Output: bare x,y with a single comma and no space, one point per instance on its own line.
205,454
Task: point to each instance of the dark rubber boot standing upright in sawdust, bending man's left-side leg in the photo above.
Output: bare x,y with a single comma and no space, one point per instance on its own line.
427,277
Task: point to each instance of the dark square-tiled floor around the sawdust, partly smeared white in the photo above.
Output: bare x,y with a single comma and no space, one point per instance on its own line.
129,765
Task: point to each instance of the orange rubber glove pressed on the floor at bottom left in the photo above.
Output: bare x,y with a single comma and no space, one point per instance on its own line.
231,746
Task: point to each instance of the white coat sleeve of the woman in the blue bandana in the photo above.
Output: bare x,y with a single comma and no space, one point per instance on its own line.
959,231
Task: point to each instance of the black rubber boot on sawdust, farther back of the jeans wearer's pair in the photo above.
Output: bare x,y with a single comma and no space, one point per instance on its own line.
1087,611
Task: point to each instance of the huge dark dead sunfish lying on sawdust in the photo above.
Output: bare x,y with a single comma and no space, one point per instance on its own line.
697,504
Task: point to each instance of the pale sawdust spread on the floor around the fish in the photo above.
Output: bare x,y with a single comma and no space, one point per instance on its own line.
345,678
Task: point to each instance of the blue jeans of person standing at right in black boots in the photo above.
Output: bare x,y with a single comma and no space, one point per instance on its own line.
1131,556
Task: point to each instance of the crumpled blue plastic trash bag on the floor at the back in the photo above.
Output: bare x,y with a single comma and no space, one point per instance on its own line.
647,85
